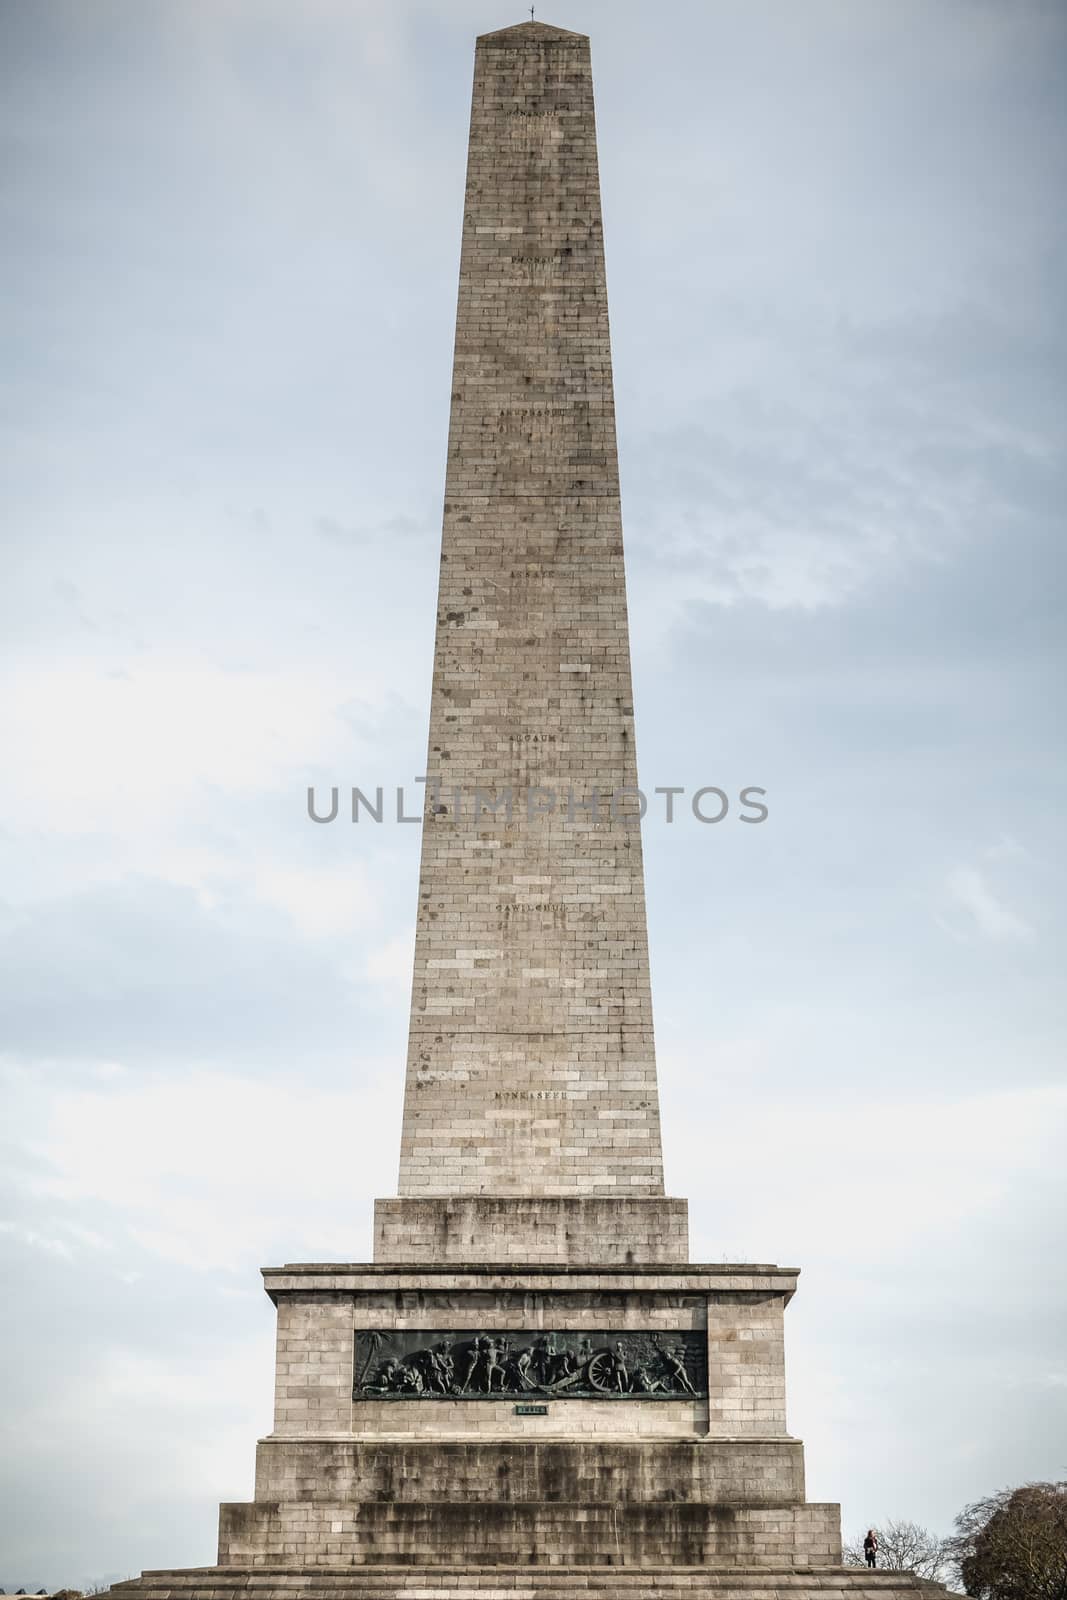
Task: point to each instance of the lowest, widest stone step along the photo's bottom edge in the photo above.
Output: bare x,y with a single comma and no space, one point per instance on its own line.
495,1583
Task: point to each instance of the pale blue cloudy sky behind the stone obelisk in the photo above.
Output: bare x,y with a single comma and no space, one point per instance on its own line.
836,260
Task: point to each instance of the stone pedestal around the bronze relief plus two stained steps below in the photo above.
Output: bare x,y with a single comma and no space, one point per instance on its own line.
402,1481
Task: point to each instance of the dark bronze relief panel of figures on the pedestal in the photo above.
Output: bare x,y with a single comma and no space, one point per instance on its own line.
407,1364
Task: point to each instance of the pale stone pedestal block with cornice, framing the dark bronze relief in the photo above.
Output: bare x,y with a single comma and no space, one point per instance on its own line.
738,1311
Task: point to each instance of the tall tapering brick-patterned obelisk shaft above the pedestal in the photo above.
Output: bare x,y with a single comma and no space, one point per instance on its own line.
532,1062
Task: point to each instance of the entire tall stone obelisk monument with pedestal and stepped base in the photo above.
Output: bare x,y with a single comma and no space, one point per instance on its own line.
530,1391
